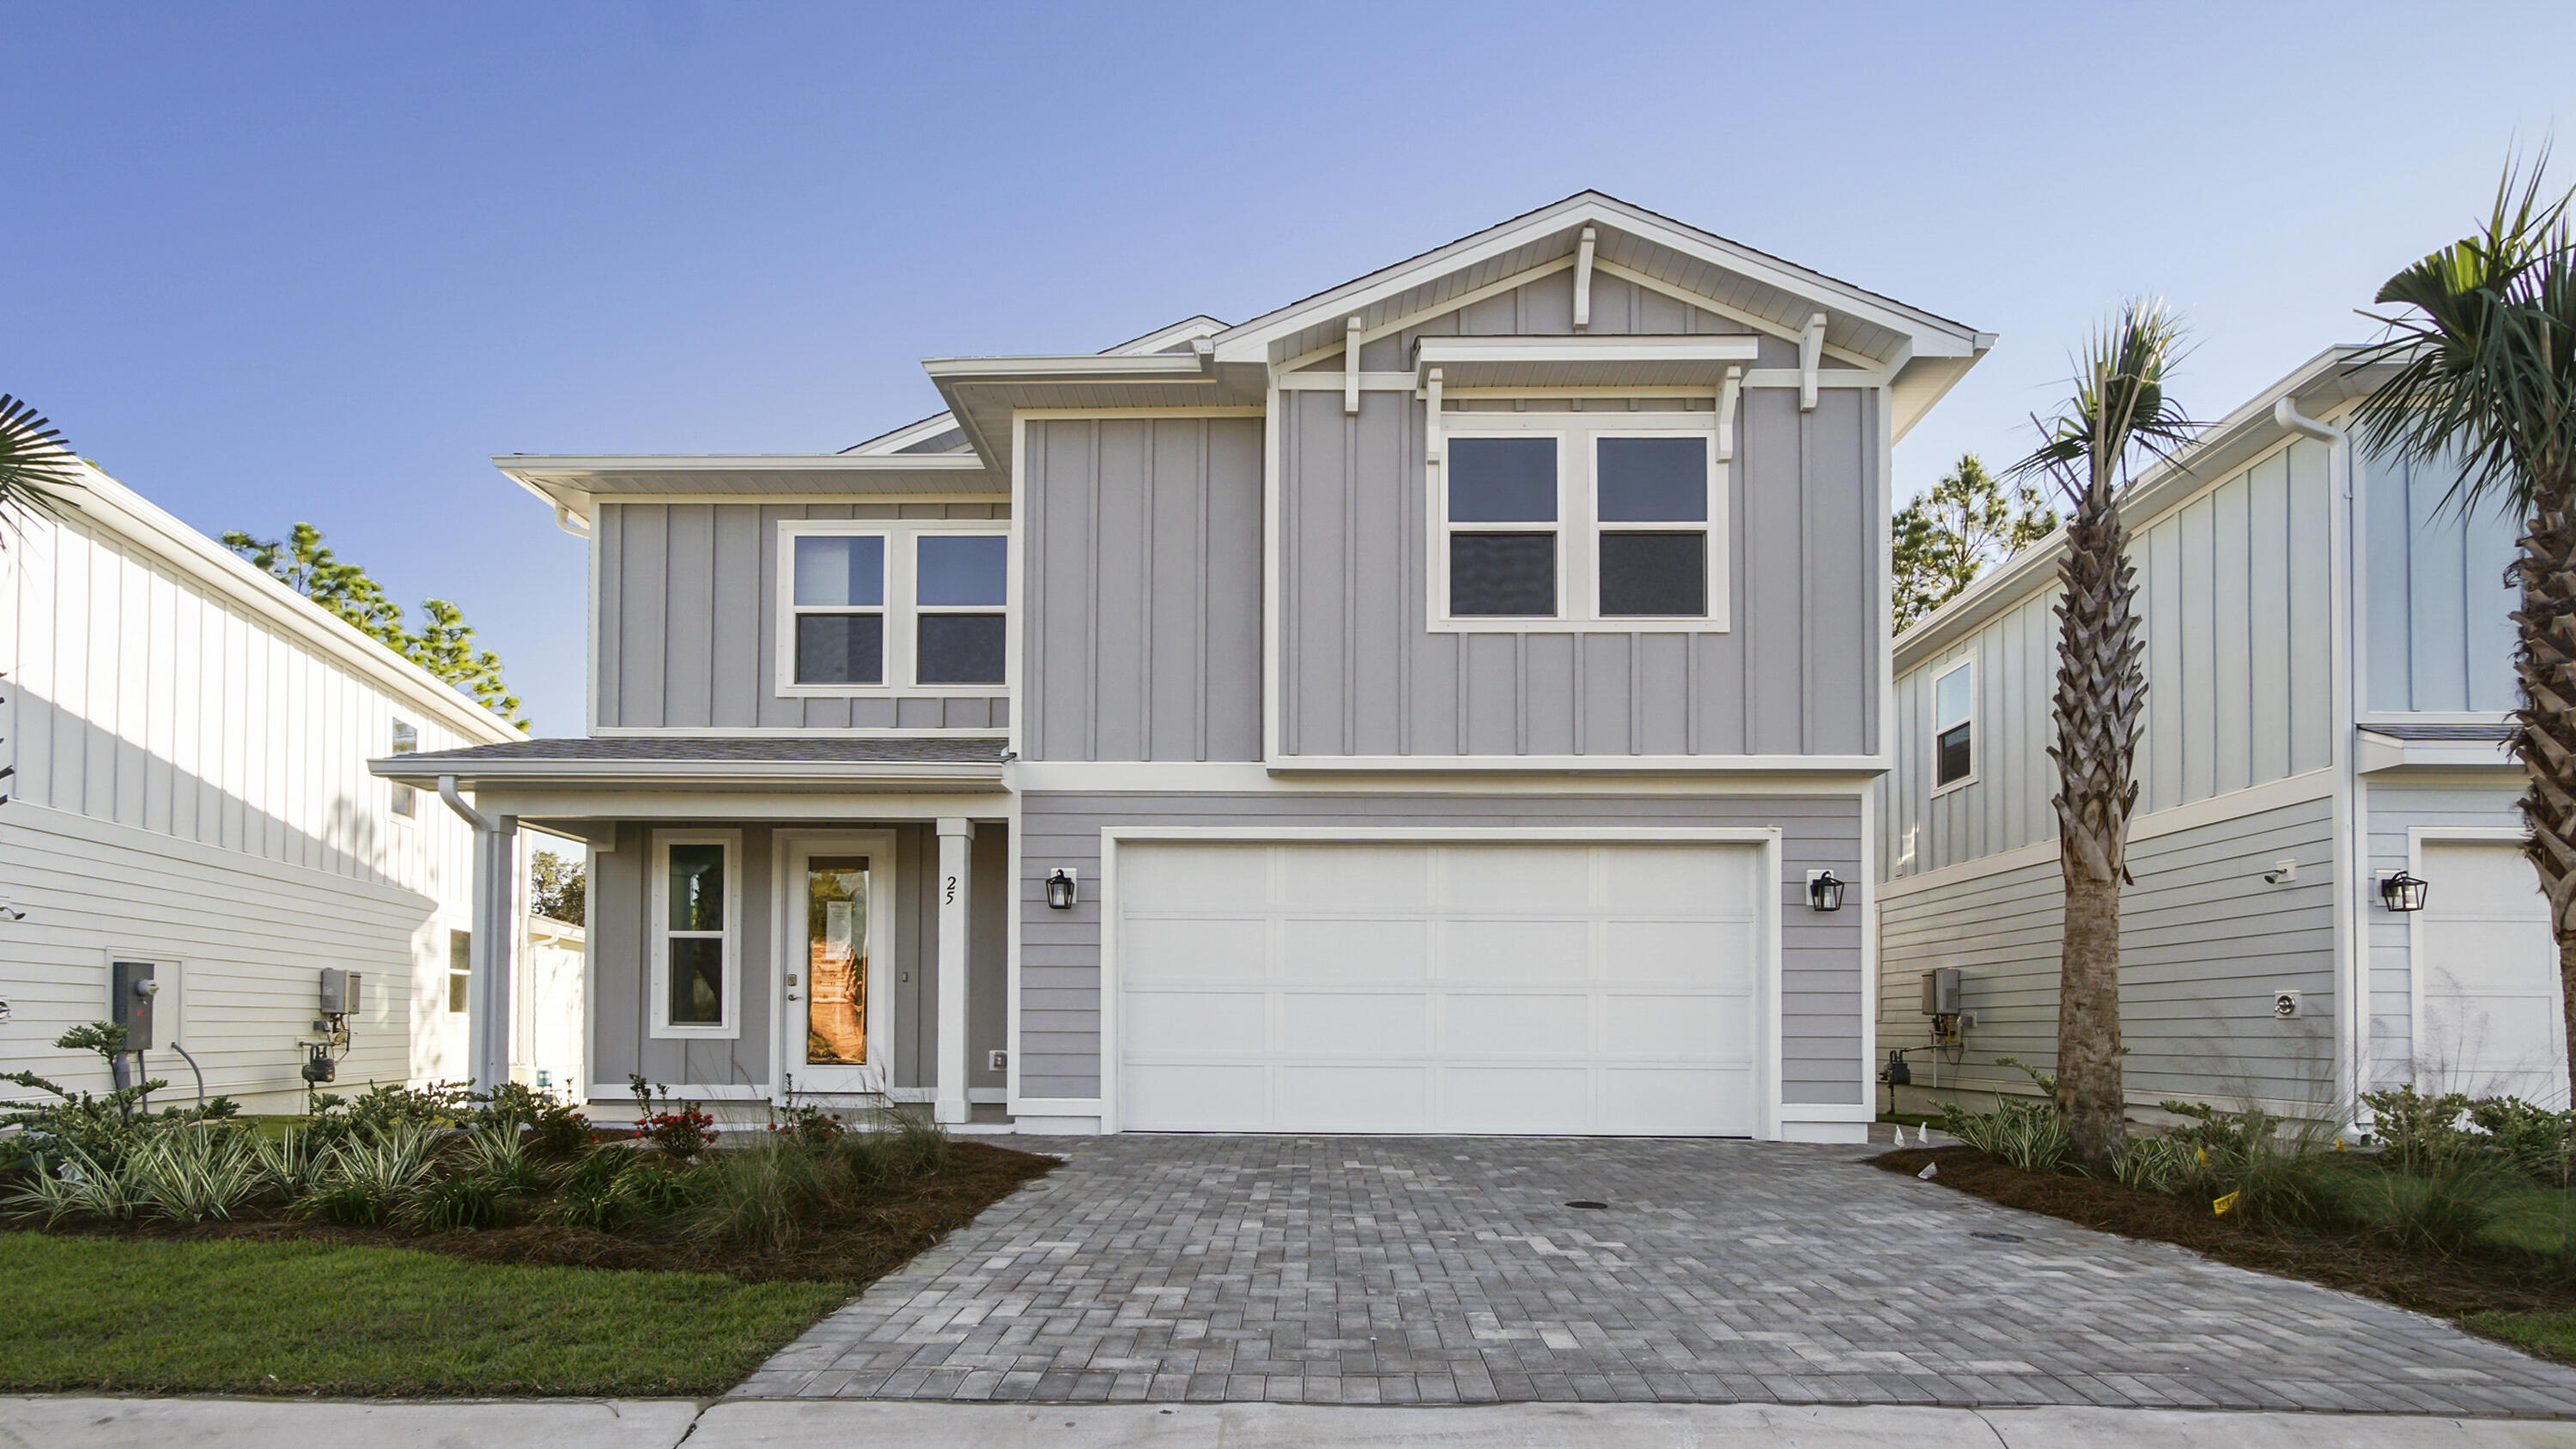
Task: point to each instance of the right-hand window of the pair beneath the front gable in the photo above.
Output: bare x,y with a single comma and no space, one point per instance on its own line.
1653,511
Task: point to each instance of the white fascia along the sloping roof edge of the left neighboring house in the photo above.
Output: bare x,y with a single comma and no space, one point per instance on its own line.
143,524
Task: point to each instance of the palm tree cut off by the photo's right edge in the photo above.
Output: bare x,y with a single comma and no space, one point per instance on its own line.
2487,380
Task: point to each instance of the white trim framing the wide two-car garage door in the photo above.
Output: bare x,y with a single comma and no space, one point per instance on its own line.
1768,984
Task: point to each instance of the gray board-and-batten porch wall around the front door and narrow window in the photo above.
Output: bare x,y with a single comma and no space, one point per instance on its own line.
622,961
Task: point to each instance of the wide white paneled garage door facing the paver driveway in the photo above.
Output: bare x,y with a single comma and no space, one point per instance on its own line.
1439,987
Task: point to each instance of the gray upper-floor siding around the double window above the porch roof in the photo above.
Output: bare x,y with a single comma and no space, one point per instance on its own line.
689,622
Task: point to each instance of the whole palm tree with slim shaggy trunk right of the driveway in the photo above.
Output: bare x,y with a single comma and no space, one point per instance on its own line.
2116,418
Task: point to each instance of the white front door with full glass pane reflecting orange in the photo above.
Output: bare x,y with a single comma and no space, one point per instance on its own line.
836,930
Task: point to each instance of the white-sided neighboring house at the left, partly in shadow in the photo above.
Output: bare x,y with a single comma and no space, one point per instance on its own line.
192,794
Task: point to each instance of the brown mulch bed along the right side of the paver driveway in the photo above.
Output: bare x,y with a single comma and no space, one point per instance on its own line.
2356,1262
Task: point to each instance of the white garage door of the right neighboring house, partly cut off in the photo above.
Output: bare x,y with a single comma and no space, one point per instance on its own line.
2490,1015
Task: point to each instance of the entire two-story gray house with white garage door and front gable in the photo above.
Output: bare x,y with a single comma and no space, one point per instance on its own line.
1418,709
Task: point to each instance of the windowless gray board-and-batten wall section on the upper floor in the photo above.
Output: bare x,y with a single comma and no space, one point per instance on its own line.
1142,627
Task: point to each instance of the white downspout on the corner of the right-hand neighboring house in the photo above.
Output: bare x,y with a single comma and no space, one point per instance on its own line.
2353,827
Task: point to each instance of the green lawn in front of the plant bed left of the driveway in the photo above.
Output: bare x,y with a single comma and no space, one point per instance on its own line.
231,1316
